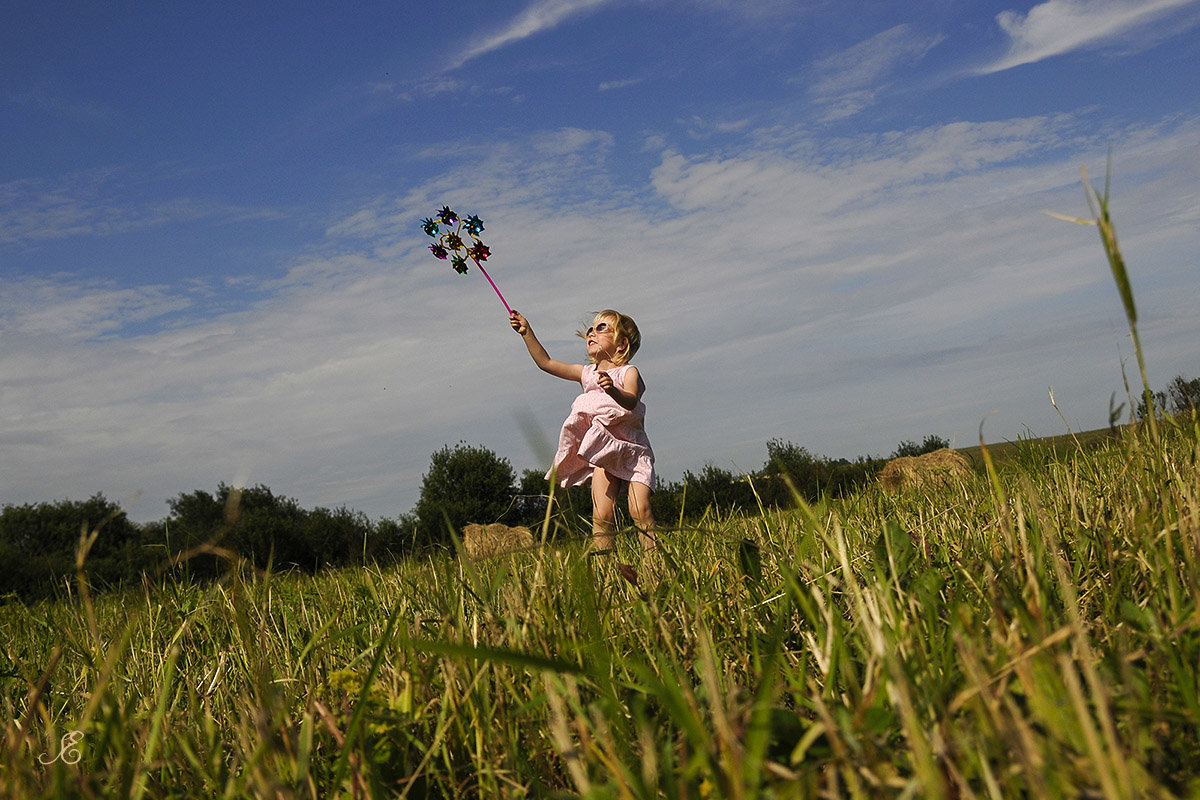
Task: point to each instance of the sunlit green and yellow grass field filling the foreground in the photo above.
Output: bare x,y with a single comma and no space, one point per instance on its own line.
1031,633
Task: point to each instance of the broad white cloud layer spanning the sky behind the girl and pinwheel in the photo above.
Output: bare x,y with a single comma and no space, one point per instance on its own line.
911,272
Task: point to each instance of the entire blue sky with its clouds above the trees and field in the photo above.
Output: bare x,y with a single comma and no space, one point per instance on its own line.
827,219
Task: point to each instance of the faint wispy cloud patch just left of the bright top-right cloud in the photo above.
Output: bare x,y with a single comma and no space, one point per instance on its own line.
850,81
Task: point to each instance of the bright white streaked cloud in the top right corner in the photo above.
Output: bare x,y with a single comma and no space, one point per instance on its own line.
1060,27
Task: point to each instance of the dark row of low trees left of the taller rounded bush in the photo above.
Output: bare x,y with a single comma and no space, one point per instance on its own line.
203,536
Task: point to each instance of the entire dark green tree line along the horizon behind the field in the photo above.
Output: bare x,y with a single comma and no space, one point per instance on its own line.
206,533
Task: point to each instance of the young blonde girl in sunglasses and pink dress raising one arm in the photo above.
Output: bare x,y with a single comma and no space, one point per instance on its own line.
604,438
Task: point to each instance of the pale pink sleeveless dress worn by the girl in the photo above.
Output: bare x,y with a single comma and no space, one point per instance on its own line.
601,432
